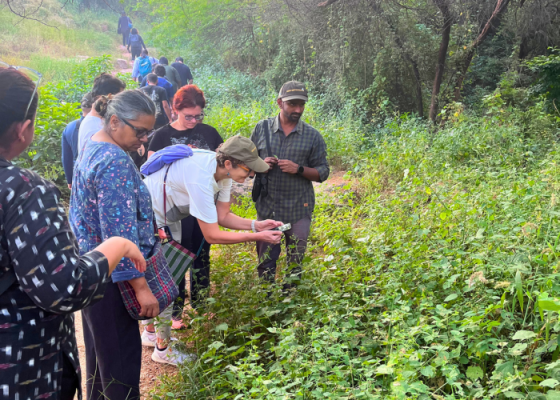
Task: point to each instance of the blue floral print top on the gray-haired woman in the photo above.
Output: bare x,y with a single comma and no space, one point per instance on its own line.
109,199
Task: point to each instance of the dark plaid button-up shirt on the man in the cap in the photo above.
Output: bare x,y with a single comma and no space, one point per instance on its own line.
290,196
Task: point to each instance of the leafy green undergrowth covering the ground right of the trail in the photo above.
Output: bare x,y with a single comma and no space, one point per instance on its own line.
432,274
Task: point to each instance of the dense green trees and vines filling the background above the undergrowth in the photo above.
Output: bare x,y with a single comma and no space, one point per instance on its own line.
410,56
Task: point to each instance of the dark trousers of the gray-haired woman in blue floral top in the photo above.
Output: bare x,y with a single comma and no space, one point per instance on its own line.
113,349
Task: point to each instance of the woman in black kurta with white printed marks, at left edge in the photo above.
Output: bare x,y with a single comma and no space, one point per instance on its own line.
43,279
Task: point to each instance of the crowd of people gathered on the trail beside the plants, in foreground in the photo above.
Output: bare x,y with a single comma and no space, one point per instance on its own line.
109,257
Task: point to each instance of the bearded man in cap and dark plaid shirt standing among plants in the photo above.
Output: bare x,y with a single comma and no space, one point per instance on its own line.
298,157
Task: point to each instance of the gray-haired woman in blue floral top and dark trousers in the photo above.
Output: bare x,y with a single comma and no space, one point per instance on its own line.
110,199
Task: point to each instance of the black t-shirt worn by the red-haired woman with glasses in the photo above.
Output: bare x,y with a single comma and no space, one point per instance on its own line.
202,136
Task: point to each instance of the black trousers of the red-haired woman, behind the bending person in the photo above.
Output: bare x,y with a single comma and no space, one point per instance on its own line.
191,238
